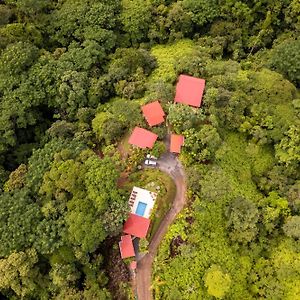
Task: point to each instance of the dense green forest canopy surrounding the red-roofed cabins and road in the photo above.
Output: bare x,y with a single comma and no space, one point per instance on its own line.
73,74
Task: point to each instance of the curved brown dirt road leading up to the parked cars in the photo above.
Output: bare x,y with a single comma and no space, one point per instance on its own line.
169,164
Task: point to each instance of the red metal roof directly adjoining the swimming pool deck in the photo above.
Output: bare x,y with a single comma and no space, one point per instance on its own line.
136,225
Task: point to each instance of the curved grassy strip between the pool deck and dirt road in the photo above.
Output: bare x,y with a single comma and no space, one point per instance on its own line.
156,181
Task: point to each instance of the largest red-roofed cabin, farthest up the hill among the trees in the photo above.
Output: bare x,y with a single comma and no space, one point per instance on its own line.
189,90
